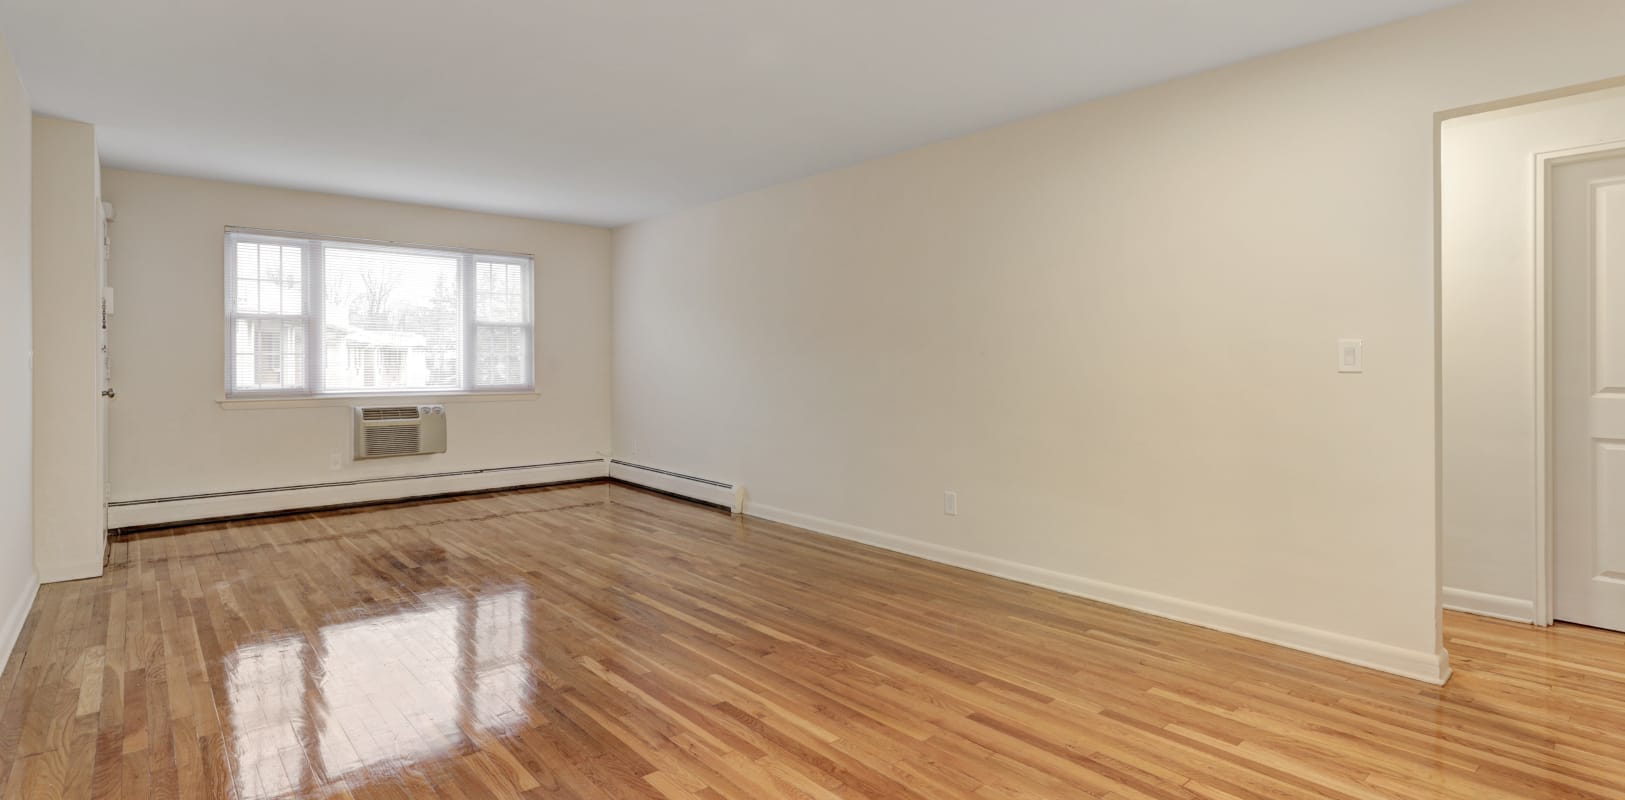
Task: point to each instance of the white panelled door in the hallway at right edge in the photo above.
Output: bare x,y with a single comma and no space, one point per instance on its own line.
1588,391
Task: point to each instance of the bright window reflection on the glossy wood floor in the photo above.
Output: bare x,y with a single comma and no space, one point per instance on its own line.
381,692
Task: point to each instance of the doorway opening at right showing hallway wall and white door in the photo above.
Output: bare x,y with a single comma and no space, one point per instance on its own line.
1533,362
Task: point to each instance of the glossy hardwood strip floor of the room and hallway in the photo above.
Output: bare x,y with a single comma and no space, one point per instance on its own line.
604,643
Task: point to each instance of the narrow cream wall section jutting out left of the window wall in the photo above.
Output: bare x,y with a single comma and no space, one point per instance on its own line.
69,523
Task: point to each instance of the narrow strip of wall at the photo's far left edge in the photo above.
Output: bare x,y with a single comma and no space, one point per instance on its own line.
17,458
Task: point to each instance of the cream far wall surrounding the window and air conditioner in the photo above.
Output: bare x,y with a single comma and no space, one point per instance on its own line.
171,437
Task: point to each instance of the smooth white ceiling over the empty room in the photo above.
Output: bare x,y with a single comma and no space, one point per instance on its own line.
600,111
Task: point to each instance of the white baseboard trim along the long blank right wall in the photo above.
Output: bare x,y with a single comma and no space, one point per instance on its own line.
1413,664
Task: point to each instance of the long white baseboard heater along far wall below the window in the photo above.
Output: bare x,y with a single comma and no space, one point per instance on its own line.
167,511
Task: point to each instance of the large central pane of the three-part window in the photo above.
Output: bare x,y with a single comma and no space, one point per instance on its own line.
392,321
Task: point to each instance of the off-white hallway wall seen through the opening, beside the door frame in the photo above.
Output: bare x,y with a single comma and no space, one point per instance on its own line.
1489,386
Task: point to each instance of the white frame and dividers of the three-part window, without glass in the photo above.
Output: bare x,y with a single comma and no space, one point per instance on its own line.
313,263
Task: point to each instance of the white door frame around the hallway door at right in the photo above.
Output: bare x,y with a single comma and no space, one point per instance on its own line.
1545,163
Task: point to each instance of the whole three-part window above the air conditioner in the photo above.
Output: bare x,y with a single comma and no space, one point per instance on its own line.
314,316
